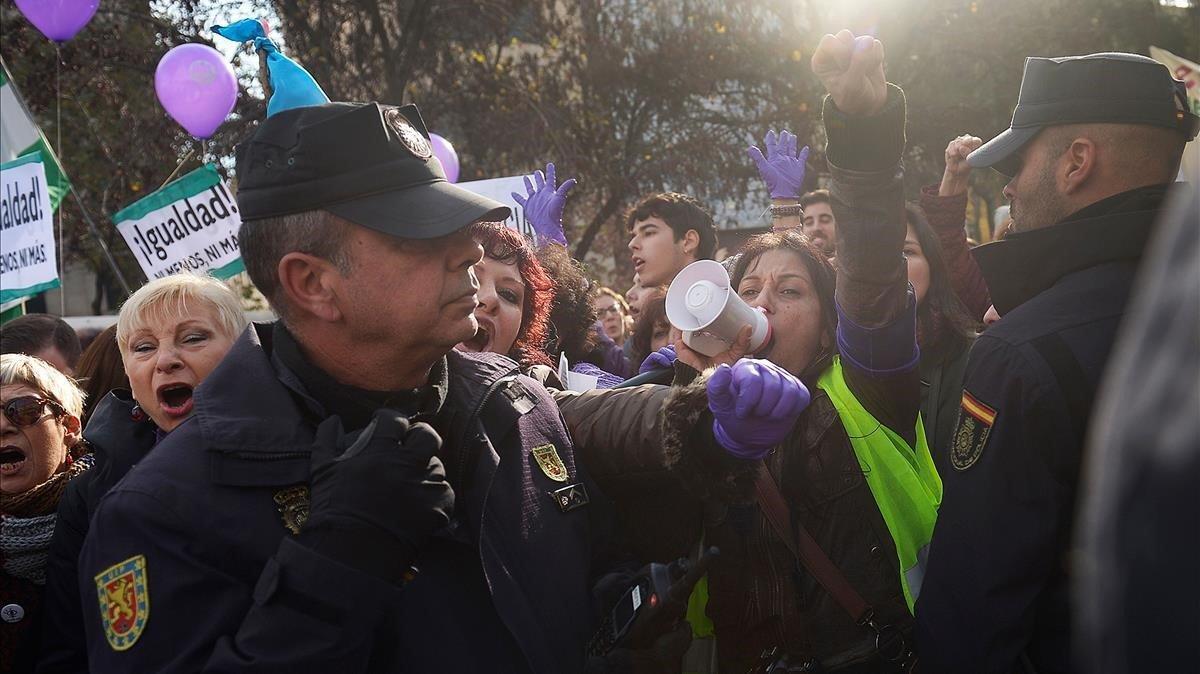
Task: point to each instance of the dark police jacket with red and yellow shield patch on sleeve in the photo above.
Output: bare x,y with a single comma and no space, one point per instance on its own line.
200,571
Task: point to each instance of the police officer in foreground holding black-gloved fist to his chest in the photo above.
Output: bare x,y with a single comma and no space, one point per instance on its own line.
351,495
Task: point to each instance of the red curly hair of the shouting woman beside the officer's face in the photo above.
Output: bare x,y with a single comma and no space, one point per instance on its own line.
505,245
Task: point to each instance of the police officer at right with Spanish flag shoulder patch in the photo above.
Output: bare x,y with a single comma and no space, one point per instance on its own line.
1094,146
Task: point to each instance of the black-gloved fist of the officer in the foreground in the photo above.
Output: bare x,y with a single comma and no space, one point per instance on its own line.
376,496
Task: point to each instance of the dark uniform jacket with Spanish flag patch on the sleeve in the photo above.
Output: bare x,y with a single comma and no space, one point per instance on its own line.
995,595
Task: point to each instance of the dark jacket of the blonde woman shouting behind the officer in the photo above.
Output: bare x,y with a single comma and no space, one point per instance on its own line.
119,438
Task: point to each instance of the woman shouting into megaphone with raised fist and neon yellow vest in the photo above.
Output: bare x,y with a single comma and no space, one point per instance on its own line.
808,461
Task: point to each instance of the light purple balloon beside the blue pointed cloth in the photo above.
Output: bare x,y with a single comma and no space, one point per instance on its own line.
197,88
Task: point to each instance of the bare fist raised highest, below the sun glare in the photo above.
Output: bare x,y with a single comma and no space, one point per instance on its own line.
851,69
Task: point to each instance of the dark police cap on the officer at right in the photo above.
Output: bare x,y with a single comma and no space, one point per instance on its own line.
1111,88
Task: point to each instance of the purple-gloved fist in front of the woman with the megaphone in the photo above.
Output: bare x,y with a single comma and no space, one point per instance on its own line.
755,405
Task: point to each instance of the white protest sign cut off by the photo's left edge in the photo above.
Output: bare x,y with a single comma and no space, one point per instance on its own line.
28,254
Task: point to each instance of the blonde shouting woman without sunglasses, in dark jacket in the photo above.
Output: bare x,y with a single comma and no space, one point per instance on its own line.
171,335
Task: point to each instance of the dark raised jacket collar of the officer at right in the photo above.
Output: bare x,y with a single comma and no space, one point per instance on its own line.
1029,263
